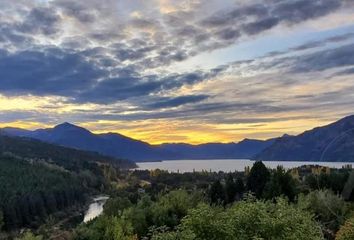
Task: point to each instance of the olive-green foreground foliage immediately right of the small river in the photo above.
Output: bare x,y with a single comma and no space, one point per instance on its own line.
137,220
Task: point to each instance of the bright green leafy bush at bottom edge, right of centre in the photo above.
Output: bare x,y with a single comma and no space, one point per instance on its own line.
248,220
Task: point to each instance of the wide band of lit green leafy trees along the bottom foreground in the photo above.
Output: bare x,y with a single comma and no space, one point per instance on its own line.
182,215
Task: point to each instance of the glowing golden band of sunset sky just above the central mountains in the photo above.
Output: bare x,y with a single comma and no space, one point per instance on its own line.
194,132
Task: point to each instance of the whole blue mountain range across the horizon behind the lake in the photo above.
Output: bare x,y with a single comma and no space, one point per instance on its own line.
334,142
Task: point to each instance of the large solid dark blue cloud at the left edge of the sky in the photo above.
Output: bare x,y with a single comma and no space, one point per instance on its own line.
49,72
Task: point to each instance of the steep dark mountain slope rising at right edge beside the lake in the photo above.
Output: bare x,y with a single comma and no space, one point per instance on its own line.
334,142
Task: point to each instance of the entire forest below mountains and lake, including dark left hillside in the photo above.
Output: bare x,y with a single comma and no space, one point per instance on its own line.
42,184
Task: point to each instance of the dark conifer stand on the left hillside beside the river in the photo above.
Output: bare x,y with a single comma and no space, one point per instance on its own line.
29,192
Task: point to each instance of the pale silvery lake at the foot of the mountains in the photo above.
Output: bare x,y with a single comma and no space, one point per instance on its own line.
224,165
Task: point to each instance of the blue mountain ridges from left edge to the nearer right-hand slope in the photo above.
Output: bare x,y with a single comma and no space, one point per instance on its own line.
117,145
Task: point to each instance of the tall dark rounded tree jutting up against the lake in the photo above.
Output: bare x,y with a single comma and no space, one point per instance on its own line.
257,178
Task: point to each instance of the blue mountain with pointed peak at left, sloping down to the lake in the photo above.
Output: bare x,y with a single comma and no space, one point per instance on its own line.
110,144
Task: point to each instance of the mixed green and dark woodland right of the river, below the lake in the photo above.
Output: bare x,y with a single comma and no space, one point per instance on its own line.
309,202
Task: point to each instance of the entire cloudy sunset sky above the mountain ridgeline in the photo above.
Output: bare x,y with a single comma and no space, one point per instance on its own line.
177,70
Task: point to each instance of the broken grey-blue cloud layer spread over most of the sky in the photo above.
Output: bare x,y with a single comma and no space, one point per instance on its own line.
121,56
